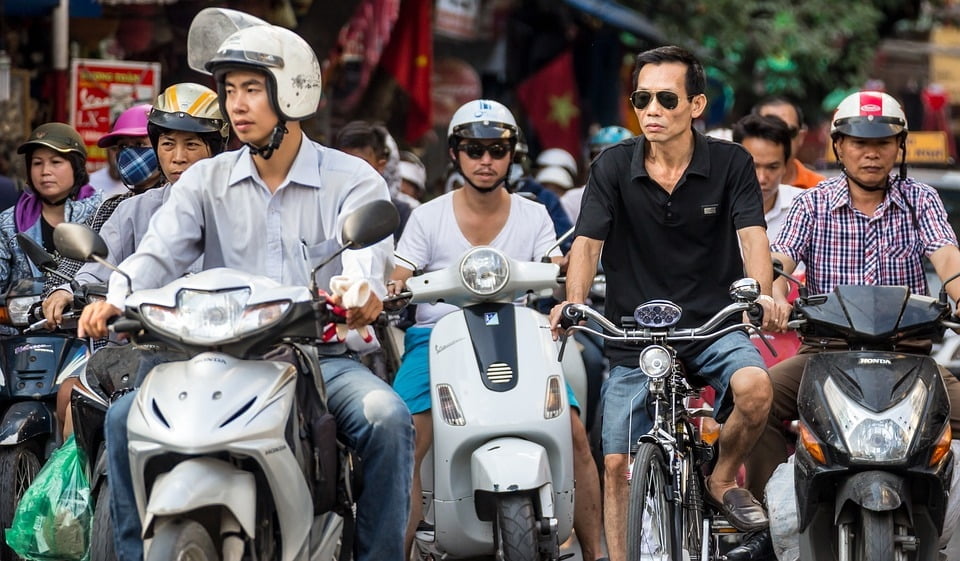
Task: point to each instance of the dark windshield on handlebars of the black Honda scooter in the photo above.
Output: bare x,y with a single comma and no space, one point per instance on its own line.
873,312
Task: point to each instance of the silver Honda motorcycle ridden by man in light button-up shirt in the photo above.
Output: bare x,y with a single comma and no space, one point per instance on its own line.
236,457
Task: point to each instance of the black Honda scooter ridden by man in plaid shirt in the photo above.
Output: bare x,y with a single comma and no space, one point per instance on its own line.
873,461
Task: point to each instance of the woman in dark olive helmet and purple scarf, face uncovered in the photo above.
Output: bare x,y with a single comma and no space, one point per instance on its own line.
57,191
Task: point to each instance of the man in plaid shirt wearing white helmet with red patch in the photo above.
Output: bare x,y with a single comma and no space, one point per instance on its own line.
863,227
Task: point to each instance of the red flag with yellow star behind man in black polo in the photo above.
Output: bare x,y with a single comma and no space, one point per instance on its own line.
553,107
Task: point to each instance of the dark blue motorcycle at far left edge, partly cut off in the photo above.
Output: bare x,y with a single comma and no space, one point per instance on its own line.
33,364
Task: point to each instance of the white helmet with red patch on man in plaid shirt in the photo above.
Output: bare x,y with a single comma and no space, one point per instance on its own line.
870,114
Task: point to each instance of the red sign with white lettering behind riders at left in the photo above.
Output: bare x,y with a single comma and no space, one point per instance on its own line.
102,89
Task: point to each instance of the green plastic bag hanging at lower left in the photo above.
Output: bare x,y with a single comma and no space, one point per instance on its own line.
55,514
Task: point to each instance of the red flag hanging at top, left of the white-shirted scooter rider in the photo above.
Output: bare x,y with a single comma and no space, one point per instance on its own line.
409,59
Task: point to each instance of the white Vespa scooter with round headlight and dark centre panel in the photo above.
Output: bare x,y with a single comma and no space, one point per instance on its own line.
501,479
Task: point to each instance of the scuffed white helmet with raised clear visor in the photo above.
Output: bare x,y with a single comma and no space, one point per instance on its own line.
291,67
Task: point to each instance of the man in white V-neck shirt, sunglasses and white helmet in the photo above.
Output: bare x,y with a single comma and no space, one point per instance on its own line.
482,137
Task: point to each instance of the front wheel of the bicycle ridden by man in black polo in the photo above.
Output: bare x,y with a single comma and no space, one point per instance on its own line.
650,519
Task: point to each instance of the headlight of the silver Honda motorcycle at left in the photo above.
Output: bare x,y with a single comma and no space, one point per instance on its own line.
211,317
